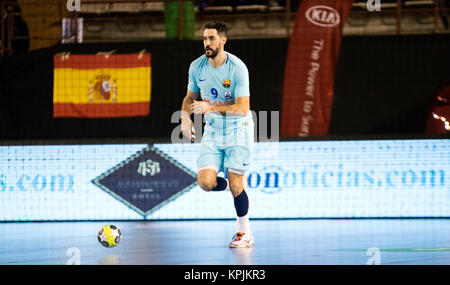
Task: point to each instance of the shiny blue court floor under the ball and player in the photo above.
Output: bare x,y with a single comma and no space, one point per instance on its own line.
277,242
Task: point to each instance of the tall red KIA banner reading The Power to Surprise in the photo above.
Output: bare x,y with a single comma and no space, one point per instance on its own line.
310,65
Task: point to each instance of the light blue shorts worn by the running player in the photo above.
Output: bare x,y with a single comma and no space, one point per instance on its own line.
227,148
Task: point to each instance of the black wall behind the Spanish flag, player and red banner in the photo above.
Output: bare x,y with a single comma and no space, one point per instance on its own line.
390,97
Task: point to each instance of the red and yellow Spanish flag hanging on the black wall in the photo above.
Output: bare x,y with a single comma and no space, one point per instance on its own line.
102,85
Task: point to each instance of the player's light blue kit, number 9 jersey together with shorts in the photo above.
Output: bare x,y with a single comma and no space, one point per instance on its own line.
227,140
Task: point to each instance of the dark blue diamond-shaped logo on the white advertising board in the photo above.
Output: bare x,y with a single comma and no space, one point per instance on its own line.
147,181
